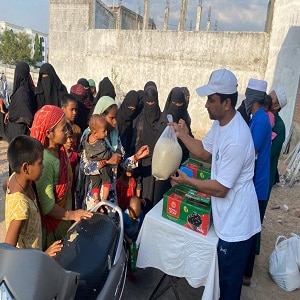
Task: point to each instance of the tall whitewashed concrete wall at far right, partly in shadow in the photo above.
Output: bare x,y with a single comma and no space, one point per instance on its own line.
283,68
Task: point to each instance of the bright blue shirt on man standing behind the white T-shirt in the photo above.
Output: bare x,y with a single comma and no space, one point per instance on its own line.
261,131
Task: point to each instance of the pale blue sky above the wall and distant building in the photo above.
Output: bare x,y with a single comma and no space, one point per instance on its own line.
226,15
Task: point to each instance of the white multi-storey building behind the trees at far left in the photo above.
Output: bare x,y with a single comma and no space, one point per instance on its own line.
31,32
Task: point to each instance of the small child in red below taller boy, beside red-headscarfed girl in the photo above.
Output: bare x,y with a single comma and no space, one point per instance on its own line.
73,159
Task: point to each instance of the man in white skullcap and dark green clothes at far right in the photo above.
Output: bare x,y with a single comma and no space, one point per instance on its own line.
279,101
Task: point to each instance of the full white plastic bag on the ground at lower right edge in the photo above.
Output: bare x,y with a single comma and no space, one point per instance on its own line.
283,267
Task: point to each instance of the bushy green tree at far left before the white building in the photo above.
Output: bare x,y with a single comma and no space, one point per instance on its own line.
15,47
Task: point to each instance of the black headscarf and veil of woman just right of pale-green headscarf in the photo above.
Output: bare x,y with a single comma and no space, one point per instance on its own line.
125,119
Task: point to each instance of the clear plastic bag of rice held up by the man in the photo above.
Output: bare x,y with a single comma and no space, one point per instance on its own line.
167,154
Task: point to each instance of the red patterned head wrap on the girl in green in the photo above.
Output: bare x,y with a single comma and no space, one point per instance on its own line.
45,119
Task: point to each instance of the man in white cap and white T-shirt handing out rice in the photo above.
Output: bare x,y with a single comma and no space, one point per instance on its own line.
230,147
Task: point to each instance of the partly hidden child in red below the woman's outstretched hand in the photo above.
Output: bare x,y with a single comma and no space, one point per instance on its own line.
127,188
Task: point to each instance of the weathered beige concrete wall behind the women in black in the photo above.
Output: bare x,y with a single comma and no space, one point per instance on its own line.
131,58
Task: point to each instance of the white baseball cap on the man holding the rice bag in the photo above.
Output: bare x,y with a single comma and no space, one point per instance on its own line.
221,81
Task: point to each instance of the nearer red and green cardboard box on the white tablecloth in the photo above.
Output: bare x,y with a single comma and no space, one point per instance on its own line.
188,207
